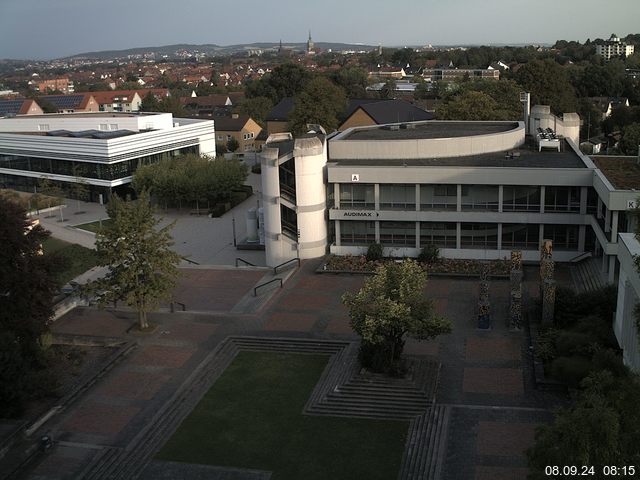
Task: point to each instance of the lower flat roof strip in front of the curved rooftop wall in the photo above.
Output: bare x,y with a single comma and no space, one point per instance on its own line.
525,157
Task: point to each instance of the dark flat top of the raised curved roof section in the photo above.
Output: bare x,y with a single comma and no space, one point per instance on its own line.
430,130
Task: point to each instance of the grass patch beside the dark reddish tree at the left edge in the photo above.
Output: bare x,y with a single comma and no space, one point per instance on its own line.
71,260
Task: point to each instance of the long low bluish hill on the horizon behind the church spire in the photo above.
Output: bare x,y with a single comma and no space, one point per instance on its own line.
209,49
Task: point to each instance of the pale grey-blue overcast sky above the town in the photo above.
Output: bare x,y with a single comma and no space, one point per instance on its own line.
43,29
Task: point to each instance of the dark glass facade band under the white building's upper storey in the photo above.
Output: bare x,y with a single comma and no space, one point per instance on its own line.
95,170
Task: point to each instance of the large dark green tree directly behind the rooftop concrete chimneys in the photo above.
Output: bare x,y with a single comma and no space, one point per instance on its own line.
549,84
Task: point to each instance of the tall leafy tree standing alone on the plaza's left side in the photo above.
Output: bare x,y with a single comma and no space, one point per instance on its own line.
142,267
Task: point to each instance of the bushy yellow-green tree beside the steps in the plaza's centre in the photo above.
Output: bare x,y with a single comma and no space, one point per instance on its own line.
390,307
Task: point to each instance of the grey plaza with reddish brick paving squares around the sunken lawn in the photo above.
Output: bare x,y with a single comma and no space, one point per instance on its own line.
485,383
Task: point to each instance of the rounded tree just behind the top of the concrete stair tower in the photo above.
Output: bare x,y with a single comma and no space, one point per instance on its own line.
321,102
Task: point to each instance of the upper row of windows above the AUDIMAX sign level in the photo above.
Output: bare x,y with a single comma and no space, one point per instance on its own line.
473,197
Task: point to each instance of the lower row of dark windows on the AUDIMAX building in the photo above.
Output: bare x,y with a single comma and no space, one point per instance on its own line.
444,235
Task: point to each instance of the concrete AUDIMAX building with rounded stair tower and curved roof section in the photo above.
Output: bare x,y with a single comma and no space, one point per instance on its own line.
477,190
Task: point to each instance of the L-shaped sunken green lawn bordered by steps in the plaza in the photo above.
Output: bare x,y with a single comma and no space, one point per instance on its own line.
252,418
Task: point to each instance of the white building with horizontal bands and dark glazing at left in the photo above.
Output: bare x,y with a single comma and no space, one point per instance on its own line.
102,149
